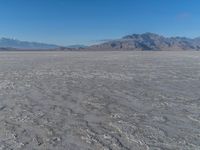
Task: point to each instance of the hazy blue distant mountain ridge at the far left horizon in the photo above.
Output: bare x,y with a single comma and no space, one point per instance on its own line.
6,43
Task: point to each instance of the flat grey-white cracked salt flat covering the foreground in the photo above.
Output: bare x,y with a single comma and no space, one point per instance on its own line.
100,100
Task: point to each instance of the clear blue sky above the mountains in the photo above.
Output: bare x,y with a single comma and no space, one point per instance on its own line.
69,22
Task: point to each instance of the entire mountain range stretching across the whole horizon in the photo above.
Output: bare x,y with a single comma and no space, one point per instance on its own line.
135,42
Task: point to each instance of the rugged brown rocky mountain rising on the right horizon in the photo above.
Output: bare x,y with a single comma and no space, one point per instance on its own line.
151,42
